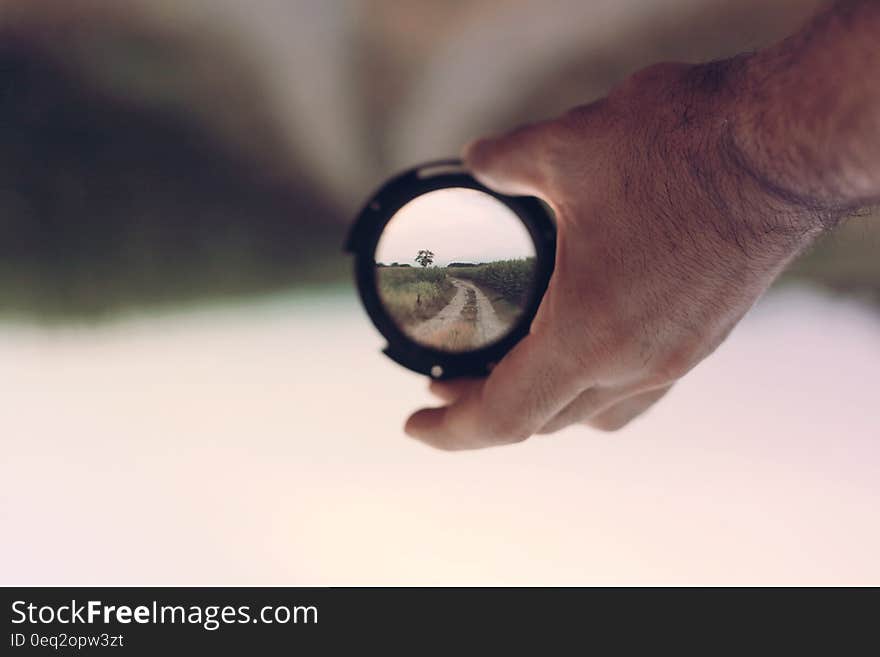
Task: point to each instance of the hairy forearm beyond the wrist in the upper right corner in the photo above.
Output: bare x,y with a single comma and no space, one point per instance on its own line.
808,111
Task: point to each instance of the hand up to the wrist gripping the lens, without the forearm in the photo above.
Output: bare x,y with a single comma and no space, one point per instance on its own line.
665,239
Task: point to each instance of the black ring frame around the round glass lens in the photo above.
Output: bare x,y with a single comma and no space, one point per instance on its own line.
364,238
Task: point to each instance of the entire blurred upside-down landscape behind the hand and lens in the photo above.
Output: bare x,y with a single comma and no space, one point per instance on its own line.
192,393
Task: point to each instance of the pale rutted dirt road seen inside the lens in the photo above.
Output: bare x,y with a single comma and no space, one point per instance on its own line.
468,322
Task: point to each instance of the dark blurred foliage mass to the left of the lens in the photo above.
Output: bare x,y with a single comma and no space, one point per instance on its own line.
106,204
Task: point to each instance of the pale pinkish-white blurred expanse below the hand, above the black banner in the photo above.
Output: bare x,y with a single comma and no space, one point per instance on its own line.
262,444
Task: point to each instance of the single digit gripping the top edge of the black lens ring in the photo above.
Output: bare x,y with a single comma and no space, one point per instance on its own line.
513,163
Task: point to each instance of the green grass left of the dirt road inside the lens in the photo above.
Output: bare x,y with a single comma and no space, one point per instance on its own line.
412,295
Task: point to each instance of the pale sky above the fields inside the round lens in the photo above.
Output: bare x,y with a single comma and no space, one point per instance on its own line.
458,225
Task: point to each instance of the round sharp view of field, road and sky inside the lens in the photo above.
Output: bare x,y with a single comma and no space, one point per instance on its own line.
454,269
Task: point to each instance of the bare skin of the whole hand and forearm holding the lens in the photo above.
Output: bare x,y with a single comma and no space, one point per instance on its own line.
679,198
